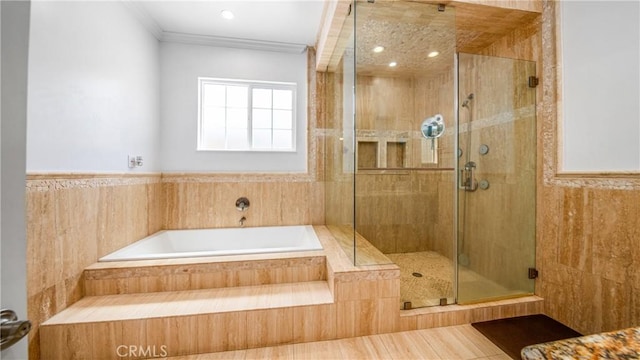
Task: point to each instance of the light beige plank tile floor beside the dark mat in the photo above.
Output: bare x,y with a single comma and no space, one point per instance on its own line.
461,342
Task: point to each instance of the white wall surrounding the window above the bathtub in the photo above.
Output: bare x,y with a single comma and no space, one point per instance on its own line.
182,64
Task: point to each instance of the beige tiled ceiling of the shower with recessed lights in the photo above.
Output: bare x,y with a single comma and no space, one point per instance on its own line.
409,30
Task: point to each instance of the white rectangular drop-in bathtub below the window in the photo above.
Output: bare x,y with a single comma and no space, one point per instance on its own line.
169,244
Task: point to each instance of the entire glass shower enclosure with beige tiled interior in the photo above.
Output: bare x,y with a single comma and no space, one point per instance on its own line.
451,202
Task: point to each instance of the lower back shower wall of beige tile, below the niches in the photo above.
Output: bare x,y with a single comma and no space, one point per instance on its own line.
406,211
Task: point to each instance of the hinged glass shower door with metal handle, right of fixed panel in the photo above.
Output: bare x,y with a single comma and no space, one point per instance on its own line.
496,177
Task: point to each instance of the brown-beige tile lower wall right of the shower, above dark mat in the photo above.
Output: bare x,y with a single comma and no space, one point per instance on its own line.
589,257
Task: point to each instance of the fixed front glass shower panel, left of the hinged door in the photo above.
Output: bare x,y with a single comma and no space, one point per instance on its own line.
404,193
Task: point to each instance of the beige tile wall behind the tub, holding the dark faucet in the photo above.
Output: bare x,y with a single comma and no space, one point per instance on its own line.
208,200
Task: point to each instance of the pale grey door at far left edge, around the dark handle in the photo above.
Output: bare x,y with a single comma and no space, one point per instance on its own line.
15,37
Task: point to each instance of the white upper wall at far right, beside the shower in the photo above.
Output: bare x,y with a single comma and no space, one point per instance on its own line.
601,85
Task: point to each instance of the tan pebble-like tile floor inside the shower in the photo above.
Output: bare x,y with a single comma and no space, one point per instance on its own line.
427,276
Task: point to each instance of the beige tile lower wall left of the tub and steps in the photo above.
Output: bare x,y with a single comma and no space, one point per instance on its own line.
72,220
